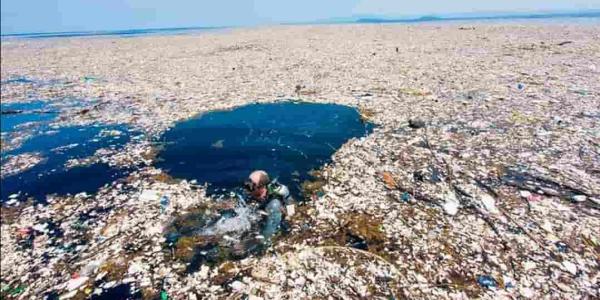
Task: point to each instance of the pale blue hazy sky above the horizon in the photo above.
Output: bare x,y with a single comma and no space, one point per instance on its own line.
26,16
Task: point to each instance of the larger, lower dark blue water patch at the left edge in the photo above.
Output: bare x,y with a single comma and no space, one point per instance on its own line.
57,147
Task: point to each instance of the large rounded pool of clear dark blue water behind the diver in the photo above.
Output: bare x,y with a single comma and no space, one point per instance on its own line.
286,139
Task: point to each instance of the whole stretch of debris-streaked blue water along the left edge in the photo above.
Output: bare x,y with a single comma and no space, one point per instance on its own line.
32,121
